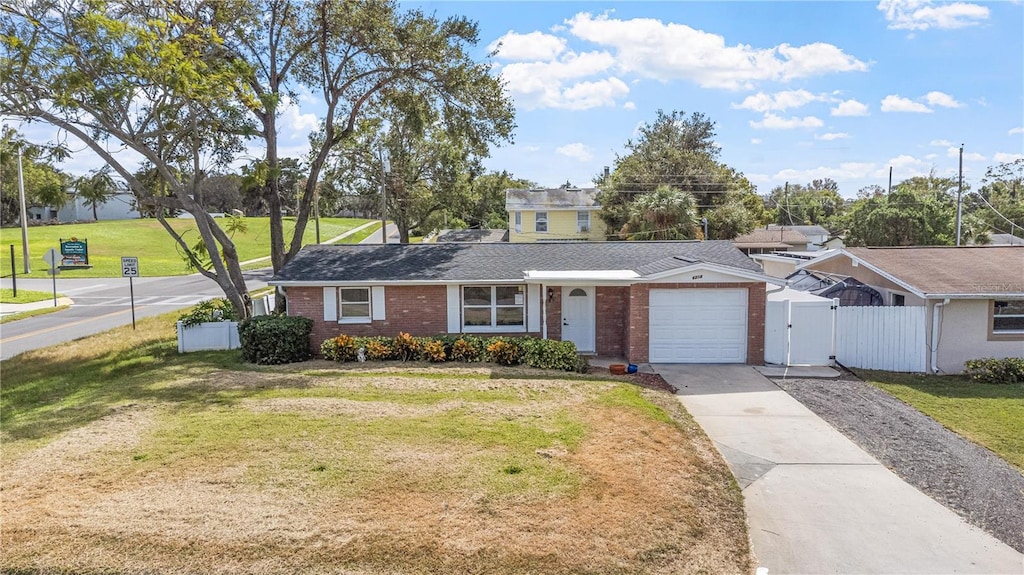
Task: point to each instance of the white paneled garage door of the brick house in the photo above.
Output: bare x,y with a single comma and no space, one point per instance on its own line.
698,327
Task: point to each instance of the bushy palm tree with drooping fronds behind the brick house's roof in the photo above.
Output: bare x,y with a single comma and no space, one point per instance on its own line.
663,214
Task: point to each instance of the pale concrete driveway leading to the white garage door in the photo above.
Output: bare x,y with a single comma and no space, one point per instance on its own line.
817,503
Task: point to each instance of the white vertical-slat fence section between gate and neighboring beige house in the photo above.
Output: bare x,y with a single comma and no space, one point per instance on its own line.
881,338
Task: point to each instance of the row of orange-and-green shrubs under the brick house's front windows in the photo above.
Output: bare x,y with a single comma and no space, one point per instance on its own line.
546,355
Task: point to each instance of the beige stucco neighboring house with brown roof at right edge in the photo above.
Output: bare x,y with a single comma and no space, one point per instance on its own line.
973,296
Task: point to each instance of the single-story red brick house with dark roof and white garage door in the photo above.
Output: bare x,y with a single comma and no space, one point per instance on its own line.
673,302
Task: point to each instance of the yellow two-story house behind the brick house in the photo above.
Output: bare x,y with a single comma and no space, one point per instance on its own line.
554,215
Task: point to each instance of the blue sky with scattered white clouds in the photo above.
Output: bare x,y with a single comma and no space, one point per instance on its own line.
799,91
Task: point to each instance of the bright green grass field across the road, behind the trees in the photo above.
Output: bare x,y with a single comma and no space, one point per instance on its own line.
158,254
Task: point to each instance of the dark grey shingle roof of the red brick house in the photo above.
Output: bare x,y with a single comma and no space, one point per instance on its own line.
467,262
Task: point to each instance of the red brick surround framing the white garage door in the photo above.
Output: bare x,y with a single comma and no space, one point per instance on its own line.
638,319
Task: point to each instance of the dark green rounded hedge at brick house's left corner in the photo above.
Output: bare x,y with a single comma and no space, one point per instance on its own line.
270,340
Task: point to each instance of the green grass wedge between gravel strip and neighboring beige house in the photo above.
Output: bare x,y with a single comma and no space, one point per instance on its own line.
992,416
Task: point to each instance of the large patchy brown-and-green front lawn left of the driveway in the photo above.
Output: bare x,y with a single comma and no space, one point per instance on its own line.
121,456
